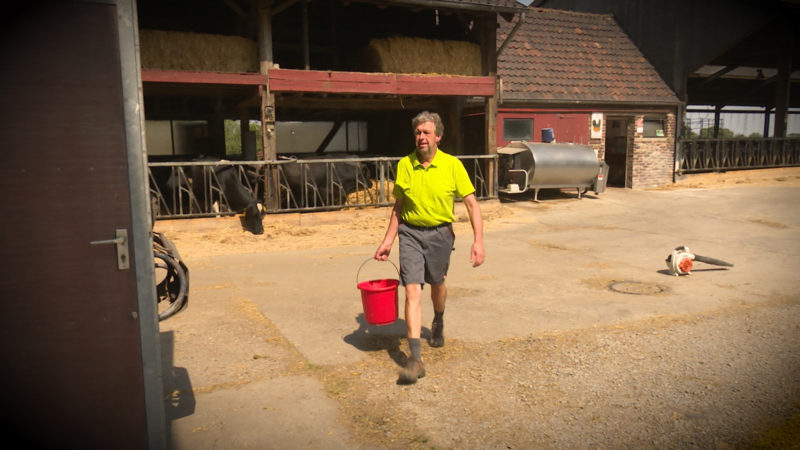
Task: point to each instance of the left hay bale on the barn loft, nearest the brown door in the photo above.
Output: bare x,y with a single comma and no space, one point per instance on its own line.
174,50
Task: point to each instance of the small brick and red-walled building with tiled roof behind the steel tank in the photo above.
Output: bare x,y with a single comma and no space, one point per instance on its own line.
579,77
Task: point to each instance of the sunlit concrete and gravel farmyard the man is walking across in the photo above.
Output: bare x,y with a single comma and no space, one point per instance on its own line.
572,334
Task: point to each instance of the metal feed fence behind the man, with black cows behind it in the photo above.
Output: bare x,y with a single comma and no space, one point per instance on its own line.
206,188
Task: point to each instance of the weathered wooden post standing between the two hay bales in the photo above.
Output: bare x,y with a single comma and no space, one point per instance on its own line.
267,103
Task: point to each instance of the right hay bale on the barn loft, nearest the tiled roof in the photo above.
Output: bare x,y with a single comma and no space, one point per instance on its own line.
427,56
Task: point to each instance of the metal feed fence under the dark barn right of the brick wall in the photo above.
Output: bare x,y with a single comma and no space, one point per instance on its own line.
708,155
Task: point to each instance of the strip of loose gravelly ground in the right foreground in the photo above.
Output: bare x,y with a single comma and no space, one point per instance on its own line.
621,386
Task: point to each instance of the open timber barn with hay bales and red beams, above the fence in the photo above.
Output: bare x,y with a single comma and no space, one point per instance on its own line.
313,76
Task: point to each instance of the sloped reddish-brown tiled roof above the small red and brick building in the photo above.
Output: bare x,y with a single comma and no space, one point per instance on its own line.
568,57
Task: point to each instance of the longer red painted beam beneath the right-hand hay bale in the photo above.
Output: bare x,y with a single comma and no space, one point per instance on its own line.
290,80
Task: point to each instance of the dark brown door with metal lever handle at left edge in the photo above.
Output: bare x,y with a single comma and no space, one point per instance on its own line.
71,340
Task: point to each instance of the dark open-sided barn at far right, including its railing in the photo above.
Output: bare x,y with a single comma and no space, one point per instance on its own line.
733,60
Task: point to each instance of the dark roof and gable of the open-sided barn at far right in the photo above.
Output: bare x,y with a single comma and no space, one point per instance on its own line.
709,52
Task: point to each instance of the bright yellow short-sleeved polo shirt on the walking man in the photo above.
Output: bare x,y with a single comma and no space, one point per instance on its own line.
428,192
